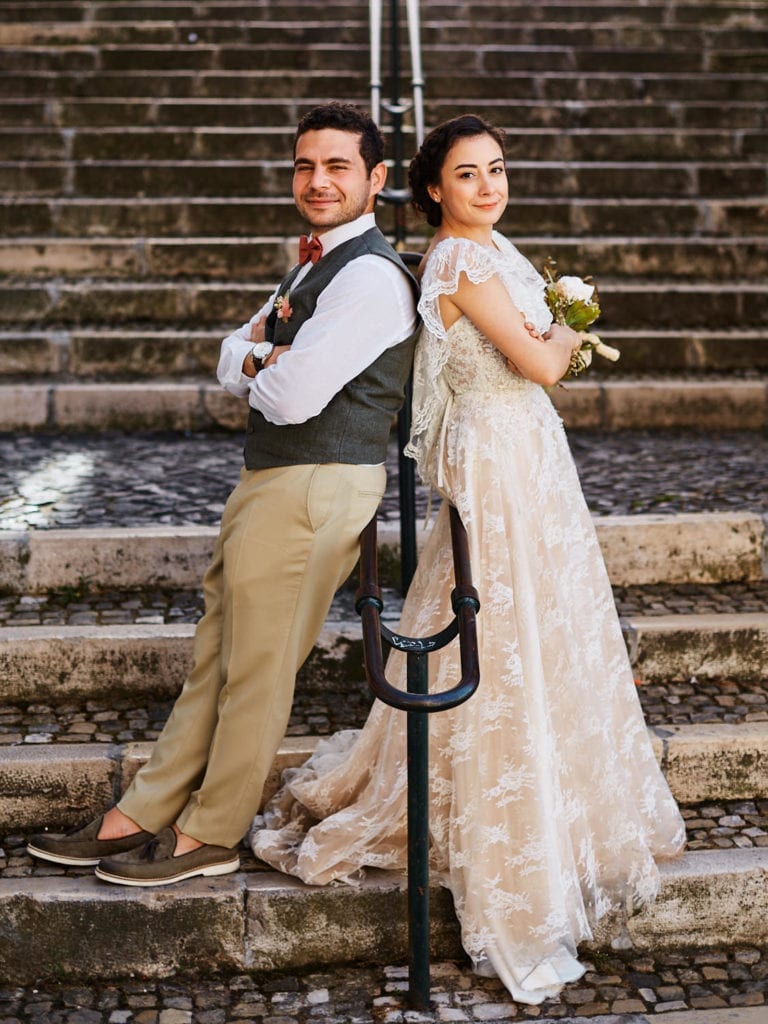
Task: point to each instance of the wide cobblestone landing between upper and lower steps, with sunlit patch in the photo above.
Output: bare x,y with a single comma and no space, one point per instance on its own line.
69,481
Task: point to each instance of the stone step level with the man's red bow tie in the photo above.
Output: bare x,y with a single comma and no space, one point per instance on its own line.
654,260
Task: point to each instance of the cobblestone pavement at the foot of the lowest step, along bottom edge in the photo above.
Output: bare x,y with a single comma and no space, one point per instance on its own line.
615,985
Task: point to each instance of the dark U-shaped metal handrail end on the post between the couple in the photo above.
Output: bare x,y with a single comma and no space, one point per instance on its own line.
465,604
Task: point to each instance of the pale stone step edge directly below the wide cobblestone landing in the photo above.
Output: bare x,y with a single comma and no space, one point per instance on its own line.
707,548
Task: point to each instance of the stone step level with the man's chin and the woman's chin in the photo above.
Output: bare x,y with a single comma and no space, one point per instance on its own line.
238,218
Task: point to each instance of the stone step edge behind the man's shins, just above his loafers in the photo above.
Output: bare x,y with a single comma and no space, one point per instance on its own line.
61,786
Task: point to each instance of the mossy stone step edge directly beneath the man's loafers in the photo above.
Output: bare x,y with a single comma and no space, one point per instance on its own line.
81,927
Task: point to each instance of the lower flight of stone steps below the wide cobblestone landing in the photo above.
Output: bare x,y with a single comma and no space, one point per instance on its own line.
65,921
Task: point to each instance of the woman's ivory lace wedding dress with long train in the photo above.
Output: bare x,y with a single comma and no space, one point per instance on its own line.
548,808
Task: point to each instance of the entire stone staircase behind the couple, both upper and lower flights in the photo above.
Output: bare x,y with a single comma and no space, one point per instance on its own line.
145,164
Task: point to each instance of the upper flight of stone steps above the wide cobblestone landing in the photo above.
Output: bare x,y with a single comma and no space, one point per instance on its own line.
145,175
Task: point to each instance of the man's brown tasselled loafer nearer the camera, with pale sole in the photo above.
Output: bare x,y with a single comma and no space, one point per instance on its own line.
155,865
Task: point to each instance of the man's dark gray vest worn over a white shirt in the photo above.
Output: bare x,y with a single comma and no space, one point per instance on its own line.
355,425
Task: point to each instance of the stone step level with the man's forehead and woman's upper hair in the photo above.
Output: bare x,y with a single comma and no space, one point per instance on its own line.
246,144
